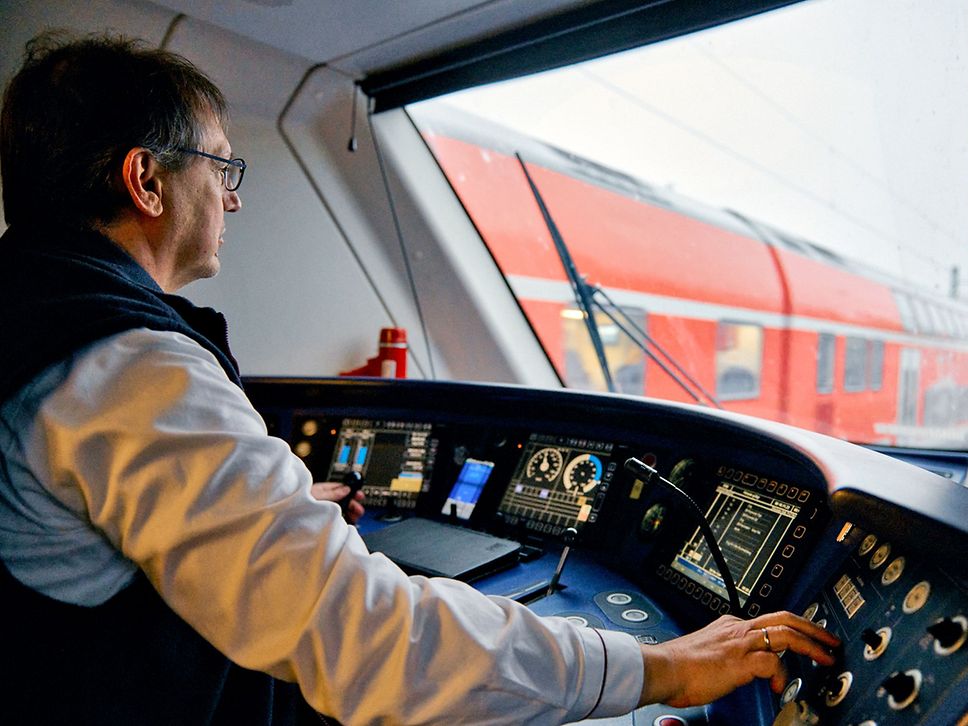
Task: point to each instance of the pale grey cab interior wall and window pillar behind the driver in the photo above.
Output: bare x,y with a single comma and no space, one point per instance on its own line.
312,266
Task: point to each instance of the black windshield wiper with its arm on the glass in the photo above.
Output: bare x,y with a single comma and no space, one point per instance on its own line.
586,298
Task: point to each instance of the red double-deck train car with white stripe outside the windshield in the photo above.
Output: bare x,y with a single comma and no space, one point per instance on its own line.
767,323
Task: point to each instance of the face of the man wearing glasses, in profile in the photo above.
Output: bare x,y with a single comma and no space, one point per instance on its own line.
198,204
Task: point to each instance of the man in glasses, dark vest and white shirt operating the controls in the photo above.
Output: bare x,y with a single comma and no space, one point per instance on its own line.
164,560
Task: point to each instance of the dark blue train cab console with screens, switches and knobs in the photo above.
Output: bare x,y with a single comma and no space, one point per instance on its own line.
871,547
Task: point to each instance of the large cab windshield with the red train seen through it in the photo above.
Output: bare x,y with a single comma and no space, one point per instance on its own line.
766,217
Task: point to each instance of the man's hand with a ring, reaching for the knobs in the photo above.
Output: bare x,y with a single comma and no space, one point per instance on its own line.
709,663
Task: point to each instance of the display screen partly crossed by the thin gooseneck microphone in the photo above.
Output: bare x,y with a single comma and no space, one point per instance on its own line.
749,527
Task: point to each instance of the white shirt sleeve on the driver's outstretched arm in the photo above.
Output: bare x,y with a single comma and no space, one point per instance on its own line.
168,459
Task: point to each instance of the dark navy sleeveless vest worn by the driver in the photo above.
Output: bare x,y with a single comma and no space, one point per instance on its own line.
131,660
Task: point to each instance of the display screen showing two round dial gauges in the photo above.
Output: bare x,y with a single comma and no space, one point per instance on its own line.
559,482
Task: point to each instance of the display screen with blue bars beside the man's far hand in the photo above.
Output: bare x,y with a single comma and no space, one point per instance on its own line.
395,458
